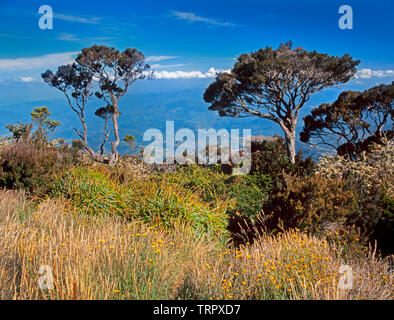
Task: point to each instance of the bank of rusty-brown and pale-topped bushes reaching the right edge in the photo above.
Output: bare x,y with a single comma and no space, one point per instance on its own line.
353,198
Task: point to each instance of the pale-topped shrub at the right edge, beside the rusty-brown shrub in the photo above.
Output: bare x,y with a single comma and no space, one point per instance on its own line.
370,177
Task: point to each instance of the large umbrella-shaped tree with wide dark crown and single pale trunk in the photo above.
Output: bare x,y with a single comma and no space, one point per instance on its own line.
276,84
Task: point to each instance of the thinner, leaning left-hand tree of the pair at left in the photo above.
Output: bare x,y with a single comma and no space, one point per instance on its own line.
75,83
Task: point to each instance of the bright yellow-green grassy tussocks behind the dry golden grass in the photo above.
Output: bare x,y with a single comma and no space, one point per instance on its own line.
165,203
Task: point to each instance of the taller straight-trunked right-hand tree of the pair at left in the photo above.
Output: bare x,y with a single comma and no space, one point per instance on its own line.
115,71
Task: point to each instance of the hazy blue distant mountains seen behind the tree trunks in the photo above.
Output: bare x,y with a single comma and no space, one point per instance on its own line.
142,111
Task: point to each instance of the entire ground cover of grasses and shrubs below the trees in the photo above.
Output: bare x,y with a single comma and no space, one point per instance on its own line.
129,232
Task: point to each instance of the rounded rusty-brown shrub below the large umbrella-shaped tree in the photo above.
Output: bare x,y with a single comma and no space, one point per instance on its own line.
310,203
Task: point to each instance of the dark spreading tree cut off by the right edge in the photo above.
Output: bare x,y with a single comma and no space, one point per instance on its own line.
354,121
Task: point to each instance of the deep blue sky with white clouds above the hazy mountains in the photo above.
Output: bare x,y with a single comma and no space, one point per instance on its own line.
187,41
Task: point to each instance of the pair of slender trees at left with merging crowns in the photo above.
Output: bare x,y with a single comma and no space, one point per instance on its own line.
113,72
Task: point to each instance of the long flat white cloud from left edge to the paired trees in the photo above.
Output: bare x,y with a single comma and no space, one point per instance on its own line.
40,62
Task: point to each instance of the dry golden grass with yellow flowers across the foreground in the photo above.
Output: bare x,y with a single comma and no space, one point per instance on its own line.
108,258
